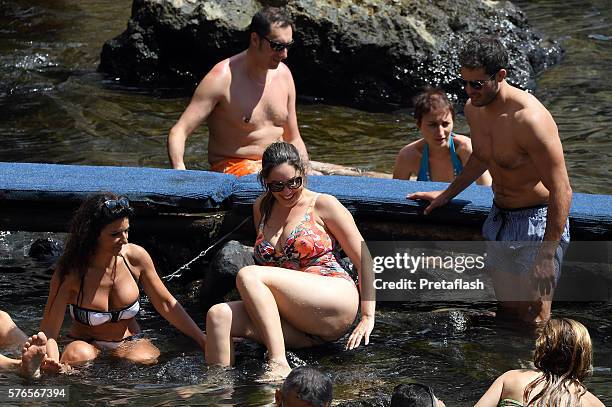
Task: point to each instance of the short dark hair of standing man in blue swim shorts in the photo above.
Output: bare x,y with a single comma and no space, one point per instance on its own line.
484,52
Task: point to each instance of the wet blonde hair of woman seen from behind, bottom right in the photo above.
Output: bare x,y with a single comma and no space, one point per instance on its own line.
563,353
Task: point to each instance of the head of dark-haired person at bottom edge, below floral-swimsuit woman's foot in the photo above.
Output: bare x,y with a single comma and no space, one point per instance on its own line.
305,386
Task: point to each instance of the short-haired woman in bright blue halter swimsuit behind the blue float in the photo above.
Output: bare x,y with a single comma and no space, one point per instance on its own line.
441,154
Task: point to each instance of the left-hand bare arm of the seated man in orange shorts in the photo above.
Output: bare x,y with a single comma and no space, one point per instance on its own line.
205,98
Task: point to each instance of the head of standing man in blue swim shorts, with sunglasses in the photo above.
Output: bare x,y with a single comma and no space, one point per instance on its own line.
483,61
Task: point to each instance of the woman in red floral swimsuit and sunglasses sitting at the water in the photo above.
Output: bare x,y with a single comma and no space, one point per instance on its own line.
298,295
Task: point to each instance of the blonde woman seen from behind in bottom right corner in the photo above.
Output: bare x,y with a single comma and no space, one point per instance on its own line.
562,360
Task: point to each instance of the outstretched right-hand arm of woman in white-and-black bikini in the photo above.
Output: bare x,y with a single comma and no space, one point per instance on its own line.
164,302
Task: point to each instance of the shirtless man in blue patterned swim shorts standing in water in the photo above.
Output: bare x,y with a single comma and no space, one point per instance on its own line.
516,139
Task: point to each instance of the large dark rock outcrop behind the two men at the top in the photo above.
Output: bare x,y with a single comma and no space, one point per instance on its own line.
368,53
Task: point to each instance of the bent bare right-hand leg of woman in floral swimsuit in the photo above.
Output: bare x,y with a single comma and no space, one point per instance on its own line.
323,306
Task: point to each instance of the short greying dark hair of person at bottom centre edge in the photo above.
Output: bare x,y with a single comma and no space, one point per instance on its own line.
310,385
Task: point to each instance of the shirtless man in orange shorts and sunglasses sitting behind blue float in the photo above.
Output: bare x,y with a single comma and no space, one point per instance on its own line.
248,101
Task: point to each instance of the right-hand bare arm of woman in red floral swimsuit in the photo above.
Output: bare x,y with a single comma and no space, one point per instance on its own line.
339,221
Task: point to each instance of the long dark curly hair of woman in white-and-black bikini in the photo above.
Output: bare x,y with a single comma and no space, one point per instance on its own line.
85,228
